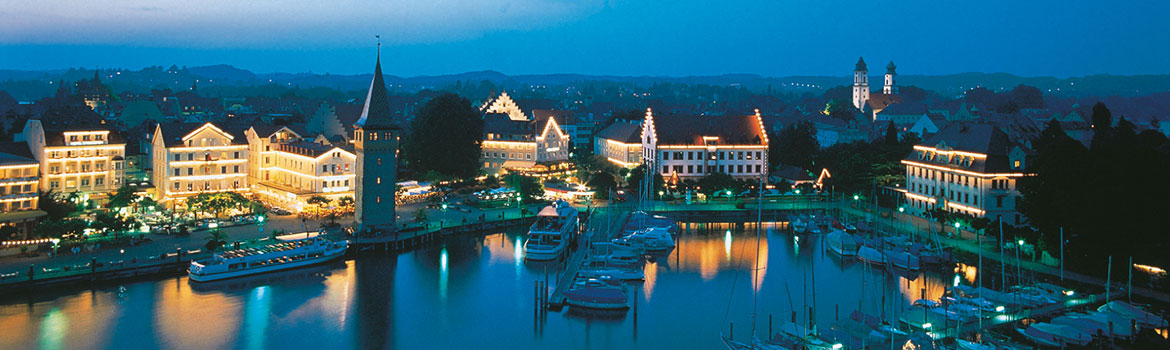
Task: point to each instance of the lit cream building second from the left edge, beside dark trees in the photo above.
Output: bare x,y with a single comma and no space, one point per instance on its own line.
78,156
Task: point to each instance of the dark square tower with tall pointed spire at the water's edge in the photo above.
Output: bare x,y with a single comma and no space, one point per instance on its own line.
376,142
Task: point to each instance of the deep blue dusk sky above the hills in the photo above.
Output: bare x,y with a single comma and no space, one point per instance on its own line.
673,38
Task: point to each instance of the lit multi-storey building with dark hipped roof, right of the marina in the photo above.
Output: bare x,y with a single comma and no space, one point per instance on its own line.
971,169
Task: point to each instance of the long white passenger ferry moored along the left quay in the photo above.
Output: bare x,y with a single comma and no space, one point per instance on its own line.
294,251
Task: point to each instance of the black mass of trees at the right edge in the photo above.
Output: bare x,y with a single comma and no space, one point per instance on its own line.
1109,197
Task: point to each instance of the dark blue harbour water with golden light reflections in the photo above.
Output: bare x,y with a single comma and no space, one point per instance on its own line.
474,292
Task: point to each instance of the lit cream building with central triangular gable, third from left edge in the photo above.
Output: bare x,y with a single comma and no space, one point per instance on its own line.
192,159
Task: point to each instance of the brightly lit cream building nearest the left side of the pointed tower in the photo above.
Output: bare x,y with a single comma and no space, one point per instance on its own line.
286,170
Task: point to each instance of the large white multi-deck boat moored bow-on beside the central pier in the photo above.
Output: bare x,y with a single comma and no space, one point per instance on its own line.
549,237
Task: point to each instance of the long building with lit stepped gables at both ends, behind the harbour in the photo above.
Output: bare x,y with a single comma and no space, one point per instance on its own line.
694,147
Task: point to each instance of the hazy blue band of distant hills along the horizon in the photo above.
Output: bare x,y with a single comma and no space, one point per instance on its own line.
25,85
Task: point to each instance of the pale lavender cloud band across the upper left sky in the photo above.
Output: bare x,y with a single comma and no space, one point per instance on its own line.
277,24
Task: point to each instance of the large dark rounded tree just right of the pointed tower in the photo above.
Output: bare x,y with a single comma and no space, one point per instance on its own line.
446,138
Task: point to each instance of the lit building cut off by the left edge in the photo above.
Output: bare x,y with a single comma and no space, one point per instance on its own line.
19,177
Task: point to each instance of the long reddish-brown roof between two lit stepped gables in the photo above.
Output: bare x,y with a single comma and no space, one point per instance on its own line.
691,131
